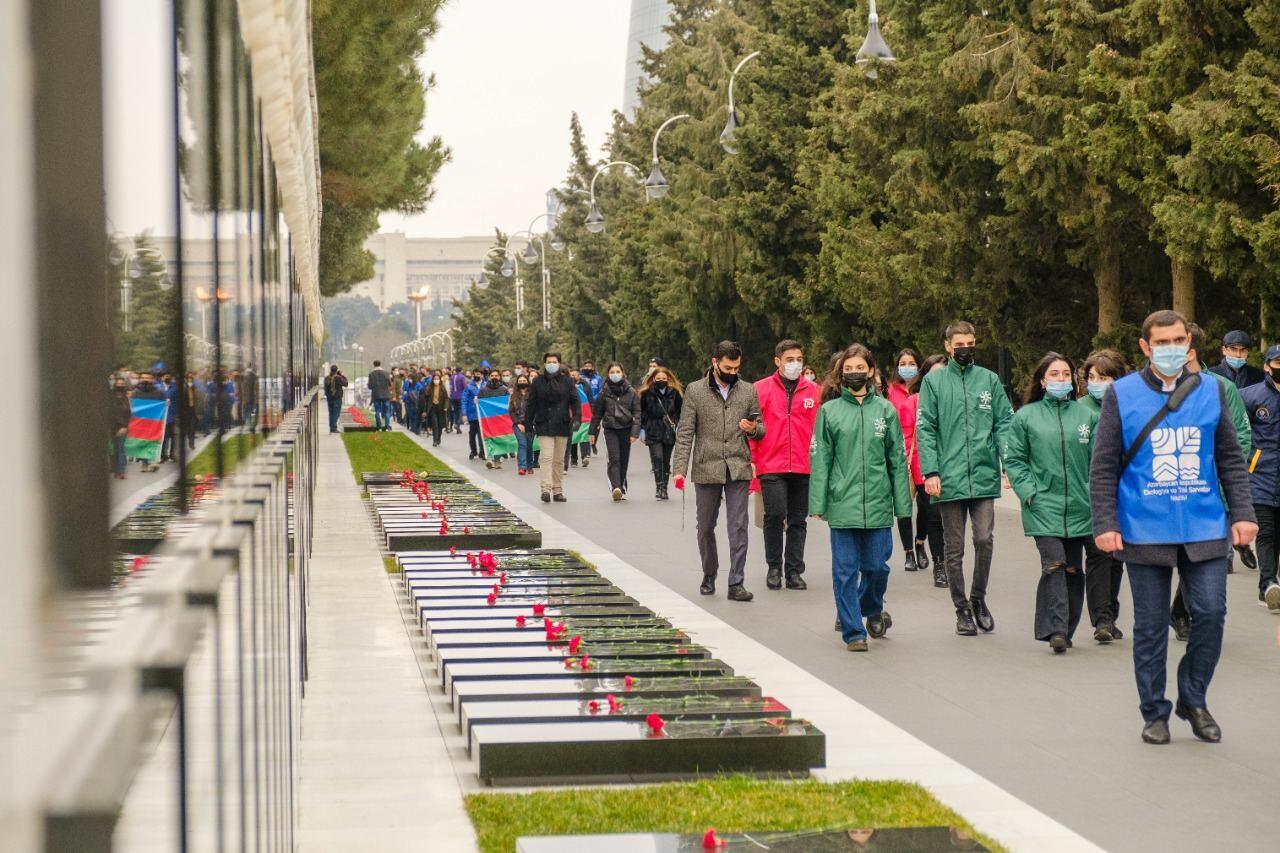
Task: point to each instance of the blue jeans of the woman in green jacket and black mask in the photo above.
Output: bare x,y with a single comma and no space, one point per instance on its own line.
860,576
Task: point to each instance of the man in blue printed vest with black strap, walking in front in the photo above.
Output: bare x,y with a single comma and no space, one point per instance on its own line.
1171,490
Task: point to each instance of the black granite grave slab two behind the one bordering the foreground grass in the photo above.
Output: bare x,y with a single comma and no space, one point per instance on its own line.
586,690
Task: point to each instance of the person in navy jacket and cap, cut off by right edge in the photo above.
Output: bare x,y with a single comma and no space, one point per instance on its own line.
1263,403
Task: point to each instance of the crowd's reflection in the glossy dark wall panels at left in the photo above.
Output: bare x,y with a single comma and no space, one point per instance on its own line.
212,402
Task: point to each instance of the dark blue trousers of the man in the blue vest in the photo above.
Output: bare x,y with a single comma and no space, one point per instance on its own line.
1205,587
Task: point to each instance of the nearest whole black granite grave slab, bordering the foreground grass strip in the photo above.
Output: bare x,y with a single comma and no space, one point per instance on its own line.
548,752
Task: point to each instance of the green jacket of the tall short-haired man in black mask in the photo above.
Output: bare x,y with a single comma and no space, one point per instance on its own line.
958,431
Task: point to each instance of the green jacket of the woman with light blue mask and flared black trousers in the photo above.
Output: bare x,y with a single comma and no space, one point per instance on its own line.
1048,450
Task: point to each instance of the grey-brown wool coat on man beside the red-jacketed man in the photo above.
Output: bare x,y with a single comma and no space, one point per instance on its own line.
708,432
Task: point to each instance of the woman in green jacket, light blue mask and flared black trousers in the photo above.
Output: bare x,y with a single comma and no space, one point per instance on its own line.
1048,450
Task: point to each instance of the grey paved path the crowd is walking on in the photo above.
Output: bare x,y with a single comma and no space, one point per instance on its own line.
1059,733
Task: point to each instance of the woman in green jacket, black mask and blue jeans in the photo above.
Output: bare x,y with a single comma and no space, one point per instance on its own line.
860,483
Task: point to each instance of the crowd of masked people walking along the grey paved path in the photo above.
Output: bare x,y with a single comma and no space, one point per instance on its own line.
1169,468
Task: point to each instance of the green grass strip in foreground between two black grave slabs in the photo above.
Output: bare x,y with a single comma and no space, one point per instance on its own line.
728,804
